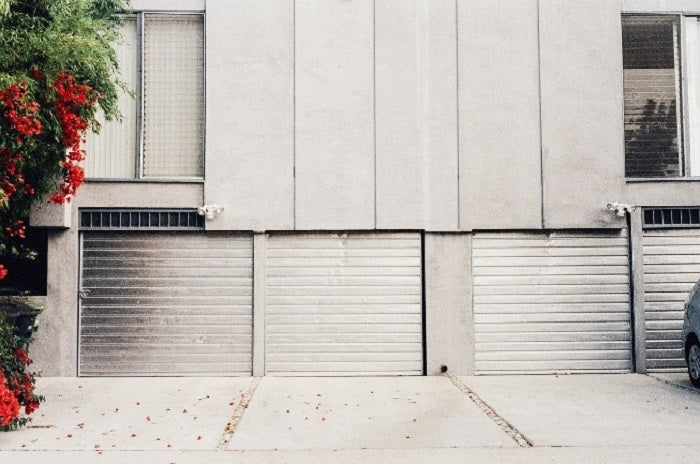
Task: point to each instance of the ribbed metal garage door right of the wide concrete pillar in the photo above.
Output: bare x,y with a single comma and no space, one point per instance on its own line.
555,302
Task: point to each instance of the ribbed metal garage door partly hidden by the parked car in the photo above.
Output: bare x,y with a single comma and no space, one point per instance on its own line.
671,268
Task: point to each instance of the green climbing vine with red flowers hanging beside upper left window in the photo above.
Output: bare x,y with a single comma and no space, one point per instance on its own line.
58,73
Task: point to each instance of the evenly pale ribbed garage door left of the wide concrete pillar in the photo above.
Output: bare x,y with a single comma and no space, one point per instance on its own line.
344,304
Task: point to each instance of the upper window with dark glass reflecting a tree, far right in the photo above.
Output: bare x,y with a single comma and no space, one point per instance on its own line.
661,61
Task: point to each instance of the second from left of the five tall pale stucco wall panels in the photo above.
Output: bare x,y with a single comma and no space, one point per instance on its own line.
334,119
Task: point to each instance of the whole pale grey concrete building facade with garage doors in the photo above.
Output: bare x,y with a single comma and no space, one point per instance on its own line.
405,185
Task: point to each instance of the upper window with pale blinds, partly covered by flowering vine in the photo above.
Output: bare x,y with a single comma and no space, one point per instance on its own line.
161,134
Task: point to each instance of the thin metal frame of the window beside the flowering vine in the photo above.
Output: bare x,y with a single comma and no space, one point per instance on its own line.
138,177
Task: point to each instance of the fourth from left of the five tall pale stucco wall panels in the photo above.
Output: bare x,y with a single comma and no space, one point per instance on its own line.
500,182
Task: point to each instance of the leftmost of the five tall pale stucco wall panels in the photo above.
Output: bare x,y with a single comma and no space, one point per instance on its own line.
250,113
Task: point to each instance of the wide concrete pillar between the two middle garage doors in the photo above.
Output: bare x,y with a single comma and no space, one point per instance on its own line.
448,299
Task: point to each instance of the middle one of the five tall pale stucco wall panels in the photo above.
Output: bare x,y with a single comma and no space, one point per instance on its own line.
416,114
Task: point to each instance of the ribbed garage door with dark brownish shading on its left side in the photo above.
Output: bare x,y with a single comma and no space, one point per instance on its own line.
166,304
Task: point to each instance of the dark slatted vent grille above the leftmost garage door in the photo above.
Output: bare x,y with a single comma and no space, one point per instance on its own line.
147,219
